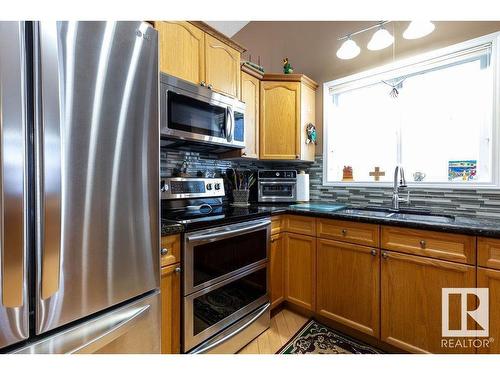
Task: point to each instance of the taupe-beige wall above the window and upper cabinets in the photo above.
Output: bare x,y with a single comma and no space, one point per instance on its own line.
311,47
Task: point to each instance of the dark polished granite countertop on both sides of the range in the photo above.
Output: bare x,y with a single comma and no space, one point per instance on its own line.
457,224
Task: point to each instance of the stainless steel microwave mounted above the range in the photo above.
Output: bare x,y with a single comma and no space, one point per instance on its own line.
195,113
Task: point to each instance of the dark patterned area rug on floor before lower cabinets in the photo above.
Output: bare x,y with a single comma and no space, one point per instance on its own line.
315,338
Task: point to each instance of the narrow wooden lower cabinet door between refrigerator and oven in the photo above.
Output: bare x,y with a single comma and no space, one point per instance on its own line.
170,309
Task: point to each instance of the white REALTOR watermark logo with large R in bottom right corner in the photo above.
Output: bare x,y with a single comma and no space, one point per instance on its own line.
464,336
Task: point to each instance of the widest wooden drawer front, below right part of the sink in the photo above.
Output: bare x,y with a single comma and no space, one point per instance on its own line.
453,247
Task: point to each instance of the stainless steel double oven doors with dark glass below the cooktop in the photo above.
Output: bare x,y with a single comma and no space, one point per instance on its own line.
226,299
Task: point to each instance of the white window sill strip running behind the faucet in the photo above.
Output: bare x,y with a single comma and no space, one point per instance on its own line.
417,186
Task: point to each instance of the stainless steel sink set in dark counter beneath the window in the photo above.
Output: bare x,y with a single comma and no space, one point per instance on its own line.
414,214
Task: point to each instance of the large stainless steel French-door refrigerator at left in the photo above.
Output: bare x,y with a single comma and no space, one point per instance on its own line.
79,196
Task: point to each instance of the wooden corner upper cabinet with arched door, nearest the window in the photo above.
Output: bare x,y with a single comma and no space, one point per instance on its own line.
287,103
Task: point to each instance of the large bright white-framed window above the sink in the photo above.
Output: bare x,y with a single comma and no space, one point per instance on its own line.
435,114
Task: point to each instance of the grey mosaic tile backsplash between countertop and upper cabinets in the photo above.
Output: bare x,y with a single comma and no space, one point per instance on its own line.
473,203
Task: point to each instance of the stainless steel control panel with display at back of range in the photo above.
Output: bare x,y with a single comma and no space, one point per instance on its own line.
187,187
